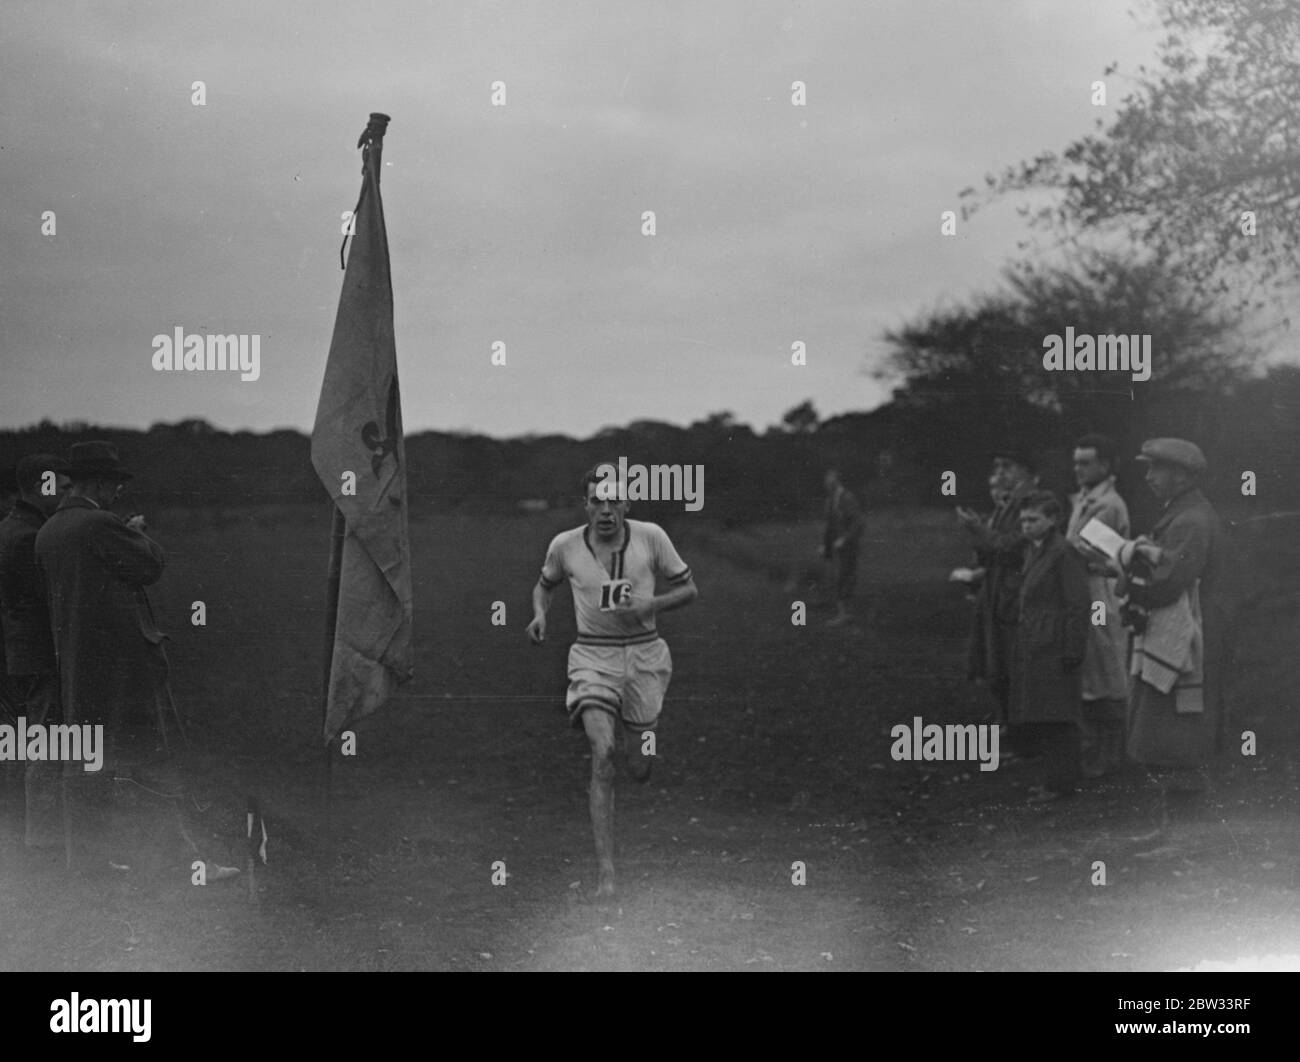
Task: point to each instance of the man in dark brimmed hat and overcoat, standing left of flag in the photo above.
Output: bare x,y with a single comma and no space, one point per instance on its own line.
111,660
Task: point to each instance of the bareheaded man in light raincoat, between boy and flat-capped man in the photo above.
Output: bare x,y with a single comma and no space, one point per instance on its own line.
1099,508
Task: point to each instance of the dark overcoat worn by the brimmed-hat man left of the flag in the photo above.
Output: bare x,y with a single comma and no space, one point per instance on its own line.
111,658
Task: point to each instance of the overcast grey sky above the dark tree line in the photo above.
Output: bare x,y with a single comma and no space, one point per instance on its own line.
519,223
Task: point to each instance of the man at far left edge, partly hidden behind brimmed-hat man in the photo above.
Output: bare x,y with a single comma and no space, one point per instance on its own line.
29,648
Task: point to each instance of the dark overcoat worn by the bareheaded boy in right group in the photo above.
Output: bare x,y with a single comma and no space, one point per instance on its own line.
1052,635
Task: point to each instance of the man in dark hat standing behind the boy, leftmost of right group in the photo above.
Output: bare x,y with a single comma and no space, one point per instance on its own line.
1000,552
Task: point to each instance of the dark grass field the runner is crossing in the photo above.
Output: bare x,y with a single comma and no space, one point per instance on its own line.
774,749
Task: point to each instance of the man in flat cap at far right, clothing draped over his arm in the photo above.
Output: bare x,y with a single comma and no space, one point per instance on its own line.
1181,604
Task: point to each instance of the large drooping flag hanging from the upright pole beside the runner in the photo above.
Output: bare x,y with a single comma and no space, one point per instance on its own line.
361,457
